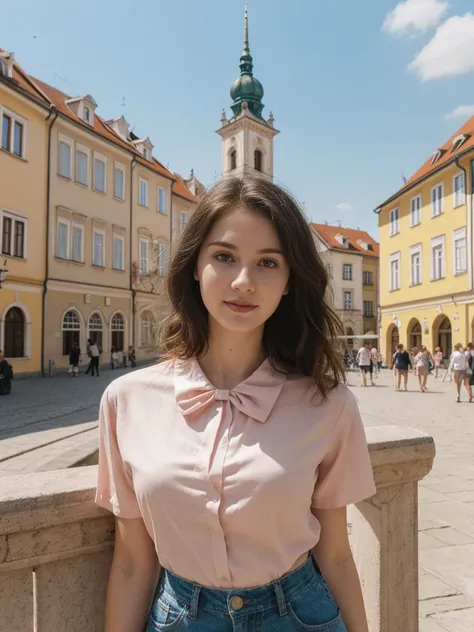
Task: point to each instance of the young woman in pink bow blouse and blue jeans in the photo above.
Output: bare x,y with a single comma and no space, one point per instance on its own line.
229,465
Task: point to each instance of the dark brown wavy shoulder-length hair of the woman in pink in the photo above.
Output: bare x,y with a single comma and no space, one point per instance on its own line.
300,337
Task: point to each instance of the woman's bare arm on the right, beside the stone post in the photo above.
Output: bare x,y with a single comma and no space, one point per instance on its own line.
334,557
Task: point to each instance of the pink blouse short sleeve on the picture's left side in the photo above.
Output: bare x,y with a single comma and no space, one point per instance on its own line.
115,489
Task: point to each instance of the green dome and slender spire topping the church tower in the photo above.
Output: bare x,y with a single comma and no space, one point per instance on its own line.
247,87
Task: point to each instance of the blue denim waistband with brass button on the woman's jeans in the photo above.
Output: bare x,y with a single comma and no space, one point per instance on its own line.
277,593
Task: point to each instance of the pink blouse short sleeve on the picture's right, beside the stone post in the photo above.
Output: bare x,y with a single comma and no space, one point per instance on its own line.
345,474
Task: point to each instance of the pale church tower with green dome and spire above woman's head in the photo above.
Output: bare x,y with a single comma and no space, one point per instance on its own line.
247,138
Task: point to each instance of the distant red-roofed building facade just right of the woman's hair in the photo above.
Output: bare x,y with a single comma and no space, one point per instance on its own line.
352,260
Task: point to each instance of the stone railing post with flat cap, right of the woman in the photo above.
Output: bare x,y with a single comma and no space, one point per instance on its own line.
384,529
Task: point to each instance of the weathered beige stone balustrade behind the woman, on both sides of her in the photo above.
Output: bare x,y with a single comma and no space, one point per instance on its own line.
56,544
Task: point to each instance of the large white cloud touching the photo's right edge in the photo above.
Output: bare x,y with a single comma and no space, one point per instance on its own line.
450,52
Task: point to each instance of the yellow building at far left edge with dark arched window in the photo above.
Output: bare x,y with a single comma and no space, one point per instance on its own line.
24,121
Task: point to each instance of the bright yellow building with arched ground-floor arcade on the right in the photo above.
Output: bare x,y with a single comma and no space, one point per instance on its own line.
426,263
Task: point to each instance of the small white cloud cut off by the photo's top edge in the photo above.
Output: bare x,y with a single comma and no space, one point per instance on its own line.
414,15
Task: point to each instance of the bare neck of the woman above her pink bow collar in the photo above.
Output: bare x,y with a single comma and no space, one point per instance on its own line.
231,357
